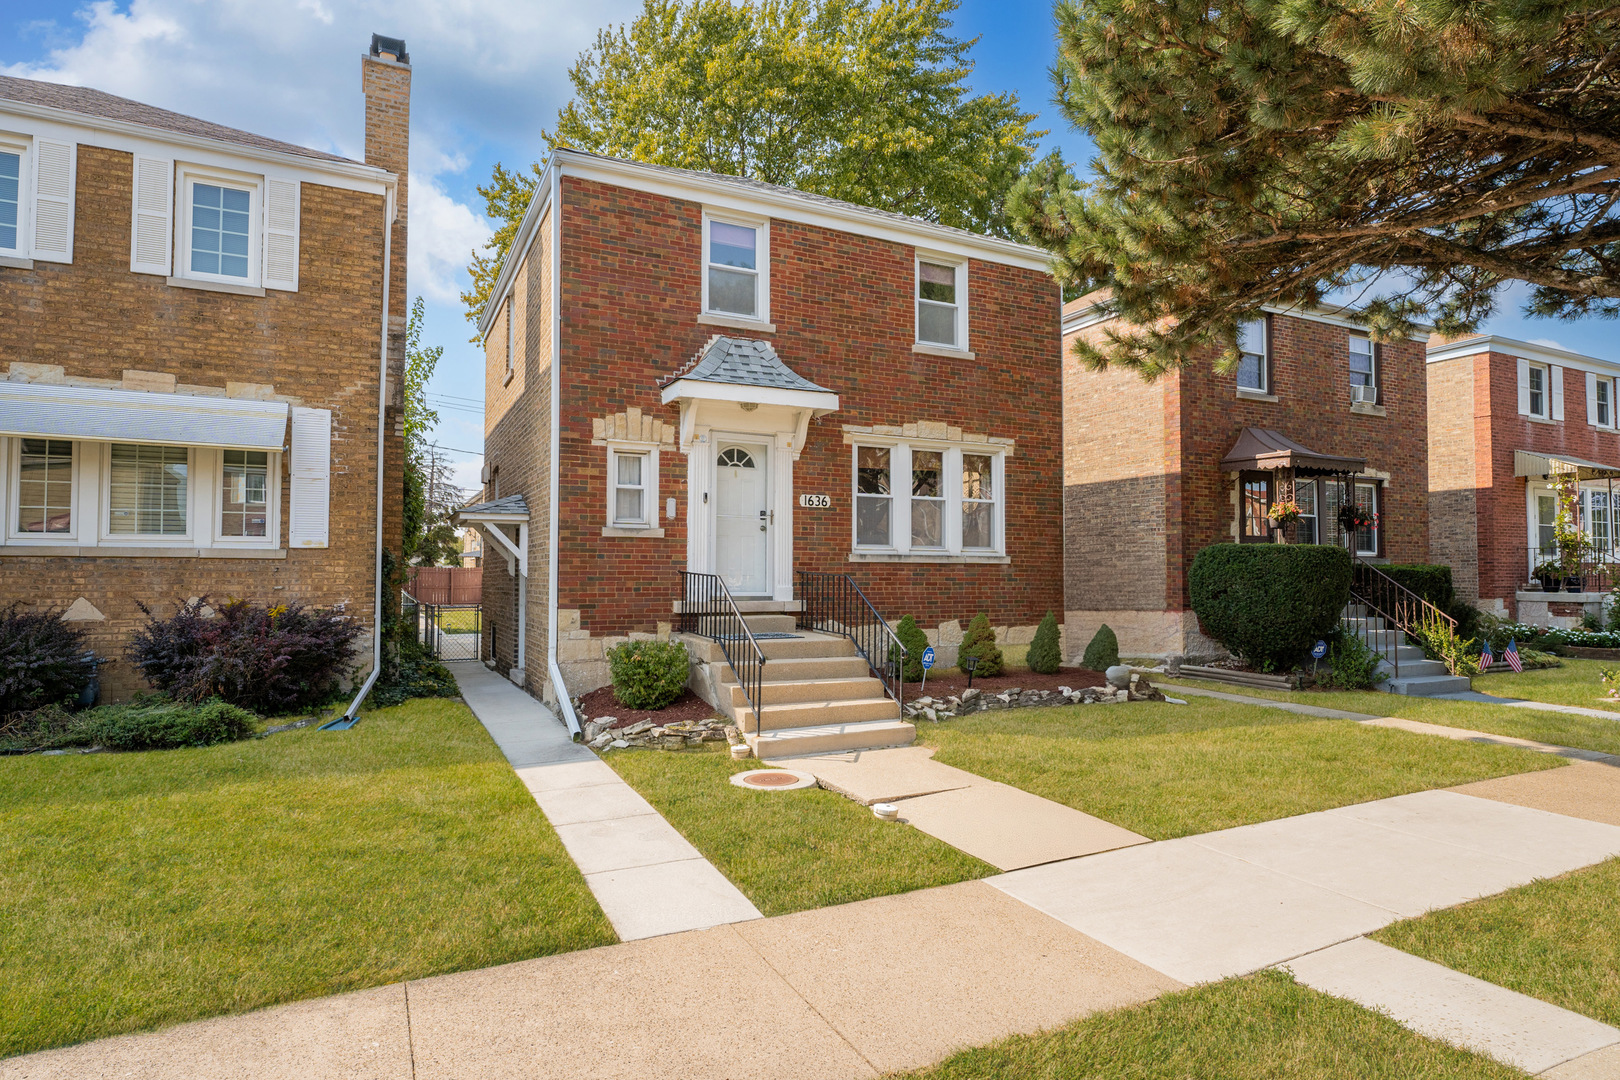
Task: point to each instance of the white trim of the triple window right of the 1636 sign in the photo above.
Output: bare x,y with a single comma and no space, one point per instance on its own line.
902,500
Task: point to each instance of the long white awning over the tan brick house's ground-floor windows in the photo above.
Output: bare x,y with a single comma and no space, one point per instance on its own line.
61,412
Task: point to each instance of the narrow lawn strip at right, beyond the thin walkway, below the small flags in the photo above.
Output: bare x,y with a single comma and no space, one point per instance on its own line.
1562,729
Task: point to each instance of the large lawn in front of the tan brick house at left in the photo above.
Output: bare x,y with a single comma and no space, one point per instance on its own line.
150,888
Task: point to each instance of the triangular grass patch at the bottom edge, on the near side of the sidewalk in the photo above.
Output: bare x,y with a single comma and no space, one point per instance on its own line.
1263,1027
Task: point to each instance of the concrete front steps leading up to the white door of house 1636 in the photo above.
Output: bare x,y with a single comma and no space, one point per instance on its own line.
817,694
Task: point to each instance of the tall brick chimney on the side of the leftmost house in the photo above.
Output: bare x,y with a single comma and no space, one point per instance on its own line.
385,77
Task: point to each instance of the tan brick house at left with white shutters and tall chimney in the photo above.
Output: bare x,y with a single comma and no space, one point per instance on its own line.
197,328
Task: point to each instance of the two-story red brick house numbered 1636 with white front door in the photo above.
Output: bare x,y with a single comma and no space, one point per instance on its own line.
707,375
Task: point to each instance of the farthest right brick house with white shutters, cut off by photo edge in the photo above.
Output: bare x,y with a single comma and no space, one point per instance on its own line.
1504,419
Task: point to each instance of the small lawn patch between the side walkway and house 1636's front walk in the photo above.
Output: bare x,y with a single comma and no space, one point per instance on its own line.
788,851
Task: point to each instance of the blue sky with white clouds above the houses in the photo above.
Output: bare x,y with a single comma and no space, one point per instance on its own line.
488,77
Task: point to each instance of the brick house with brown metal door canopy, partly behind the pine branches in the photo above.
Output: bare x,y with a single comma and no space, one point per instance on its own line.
1156,472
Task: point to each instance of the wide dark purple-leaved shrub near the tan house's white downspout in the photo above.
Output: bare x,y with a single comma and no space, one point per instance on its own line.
268,660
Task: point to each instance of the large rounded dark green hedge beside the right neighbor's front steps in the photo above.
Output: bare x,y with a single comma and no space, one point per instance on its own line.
1271,603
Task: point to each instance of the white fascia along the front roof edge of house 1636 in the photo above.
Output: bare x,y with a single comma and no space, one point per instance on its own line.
795,208
